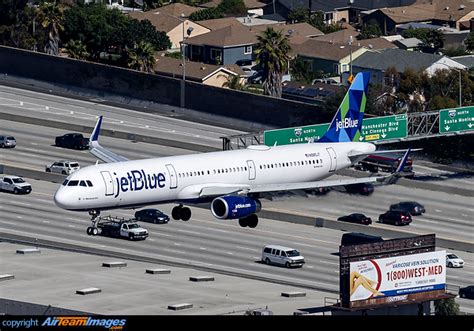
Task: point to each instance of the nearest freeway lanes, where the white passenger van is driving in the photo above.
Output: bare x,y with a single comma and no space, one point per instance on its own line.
201,241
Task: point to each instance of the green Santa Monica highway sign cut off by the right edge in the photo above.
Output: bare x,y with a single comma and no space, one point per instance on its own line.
457,119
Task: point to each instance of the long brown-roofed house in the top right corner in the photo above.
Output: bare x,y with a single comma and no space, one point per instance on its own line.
453,13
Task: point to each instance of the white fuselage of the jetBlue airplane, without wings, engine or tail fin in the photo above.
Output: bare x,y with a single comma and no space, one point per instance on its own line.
180,178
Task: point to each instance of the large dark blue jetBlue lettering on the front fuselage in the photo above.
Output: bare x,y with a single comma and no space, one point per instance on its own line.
137,180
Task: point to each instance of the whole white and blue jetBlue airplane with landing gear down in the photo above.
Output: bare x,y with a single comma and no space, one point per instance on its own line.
234,181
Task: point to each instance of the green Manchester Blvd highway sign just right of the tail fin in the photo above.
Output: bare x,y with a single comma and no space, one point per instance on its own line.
384,128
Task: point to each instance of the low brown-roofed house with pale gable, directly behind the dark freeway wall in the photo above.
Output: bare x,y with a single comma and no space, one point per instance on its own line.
207,74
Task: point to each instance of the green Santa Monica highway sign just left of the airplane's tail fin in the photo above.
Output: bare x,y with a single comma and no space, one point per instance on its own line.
295,135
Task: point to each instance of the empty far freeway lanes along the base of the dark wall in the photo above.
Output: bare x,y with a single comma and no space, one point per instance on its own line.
47,106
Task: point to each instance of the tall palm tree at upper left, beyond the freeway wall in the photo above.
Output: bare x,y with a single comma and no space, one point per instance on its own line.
51,17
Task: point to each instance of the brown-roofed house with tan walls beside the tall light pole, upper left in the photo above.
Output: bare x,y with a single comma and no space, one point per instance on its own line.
173,26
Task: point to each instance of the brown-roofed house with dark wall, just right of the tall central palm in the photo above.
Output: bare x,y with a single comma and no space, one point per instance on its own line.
330,58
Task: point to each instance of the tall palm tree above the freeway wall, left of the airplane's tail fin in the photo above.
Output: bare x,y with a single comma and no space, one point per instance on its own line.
273,55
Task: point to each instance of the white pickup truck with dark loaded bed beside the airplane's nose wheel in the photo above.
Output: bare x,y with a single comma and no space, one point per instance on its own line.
125,229
